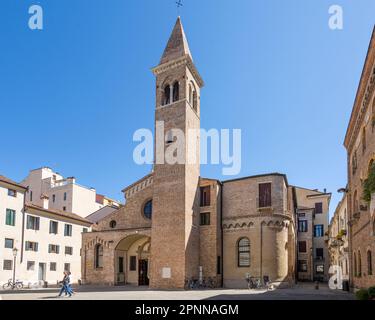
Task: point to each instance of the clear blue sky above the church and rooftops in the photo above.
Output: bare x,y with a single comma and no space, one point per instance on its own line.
72,95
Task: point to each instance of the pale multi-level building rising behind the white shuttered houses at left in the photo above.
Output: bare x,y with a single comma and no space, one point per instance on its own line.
64,194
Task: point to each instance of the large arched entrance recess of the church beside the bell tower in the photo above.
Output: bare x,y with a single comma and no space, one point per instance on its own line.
132,260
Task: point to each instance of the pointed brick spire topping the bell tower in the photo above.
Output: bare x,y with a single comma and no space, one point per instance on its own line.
177,46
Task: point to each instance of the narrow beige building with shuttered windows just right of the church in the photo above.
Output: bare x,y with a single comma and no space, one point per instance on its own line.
312,250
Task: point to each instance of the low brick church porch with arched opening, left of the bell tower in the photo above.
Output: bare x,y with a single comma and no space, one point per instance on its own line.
116,257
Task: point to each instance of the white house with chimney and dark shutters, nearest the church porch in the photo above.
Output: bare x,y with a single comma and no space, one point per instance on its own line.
53,241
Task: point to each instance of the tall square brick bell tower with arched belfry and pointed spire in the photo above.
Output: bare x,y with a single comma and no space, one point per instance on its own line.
175,224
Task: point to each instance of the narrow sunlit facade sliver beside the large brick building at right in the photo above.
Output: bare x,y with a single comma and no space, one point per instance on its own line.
338,244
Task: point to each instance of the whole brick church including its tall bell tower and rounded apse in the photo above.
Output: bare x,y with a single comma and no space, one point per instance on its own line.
176,226
